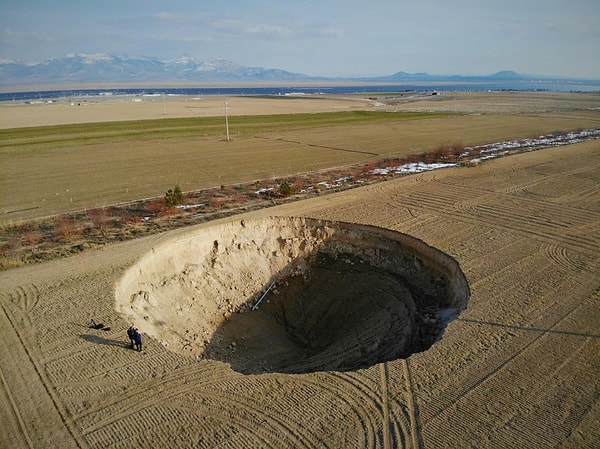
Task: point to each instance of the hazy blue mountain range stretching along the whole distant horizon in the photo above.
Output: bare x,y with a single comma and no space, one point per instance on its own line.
106,68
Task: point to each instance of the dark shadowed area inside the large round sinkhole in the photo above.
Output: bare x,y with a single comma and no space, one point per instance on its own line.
346,311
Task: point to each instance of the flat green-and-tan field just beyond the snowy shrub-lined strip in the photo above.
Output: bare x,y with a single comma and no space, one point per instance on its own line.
52,170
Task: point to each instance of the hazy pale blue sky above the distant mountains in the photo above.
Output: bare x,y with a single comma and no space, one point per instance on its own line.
319,37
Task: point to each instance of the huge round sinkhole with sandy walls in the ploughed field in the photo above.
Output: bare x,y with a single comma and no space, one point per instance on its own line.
293,295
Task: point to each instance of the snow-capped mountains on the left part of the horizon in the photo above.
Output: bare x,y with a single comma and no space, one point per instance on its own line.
101,67
